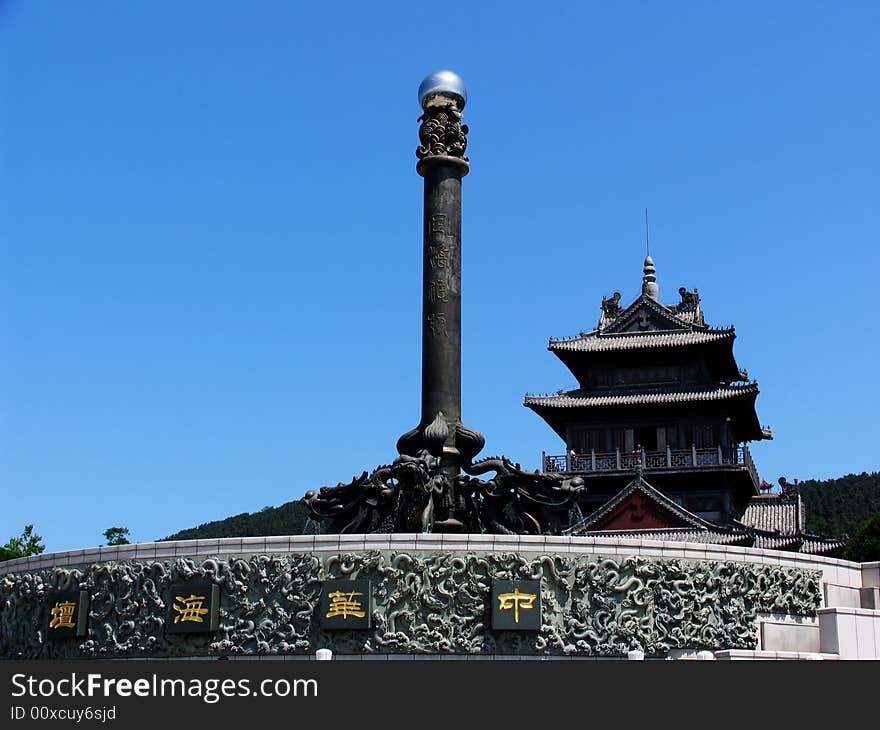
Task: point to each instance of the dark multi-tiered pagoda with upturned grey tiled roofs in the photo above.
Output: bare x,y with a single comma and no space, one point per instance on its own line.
659,424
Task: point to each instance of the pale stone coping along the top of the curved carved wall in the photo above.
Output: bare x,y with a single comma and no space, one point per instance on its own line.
837,571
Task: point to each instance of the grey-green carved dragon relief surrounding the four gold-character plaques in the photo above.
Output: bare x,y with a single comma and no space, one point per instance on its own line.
422,603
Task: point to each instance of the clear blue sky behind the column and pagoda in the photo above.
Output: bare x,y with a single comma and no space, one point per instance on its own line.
210,232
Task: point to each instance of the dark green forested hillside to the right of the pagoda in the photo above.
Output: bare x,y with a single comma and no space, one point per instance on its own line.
840,506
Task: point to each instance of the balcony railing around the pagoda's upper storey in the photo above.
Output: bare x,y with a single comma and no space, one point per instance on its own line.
669,459
